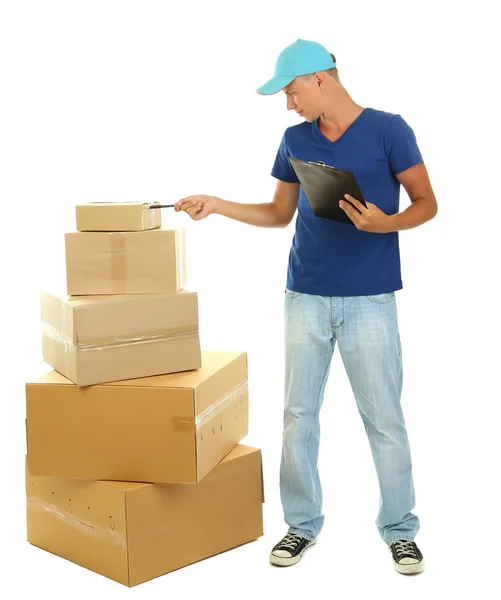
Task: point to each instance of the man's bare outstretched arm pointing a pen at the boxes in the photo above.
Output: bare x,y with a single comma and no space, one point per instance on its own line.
278,213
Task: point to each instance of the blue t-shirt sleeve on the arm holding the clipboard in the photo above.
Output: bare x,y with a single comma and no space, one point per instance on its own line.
401,146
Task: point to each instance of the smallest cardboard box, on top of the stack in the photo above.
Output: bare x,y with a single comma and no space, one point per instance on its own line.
117,216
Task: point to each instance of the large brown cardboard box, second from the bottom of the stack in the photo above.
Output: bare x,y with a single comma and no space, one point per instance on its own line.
169,428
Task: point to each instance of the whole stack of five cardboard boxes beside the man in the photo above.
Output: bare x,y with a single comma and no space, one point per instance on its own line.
134,466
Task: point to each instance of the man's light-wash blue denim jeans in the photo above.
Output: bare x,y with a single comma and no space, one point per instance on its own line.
366,330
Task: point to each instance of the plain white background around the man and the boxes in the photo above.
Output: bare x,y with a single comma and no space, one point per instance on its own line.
154,101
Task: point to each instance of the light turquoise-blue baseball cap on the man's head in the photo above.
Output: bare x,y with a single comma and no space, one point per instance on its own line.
300,58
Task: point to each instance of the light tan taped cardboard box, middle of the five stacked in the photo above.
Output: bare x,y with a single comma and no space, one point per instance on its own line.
99,339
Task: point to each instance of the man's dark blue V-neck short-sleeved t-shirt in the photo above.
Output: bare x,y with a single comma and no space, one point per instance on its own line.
329,258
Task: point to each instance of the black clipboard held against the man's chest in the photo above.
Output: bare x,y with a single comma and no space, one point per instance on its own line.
324,186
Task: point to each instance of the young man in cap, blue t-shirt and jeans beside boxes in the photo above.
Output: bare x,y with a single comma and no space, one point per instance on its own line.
341,285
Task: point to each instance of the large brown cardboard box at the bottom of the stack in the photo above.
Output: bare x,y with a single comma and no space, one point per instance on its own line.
133,532
